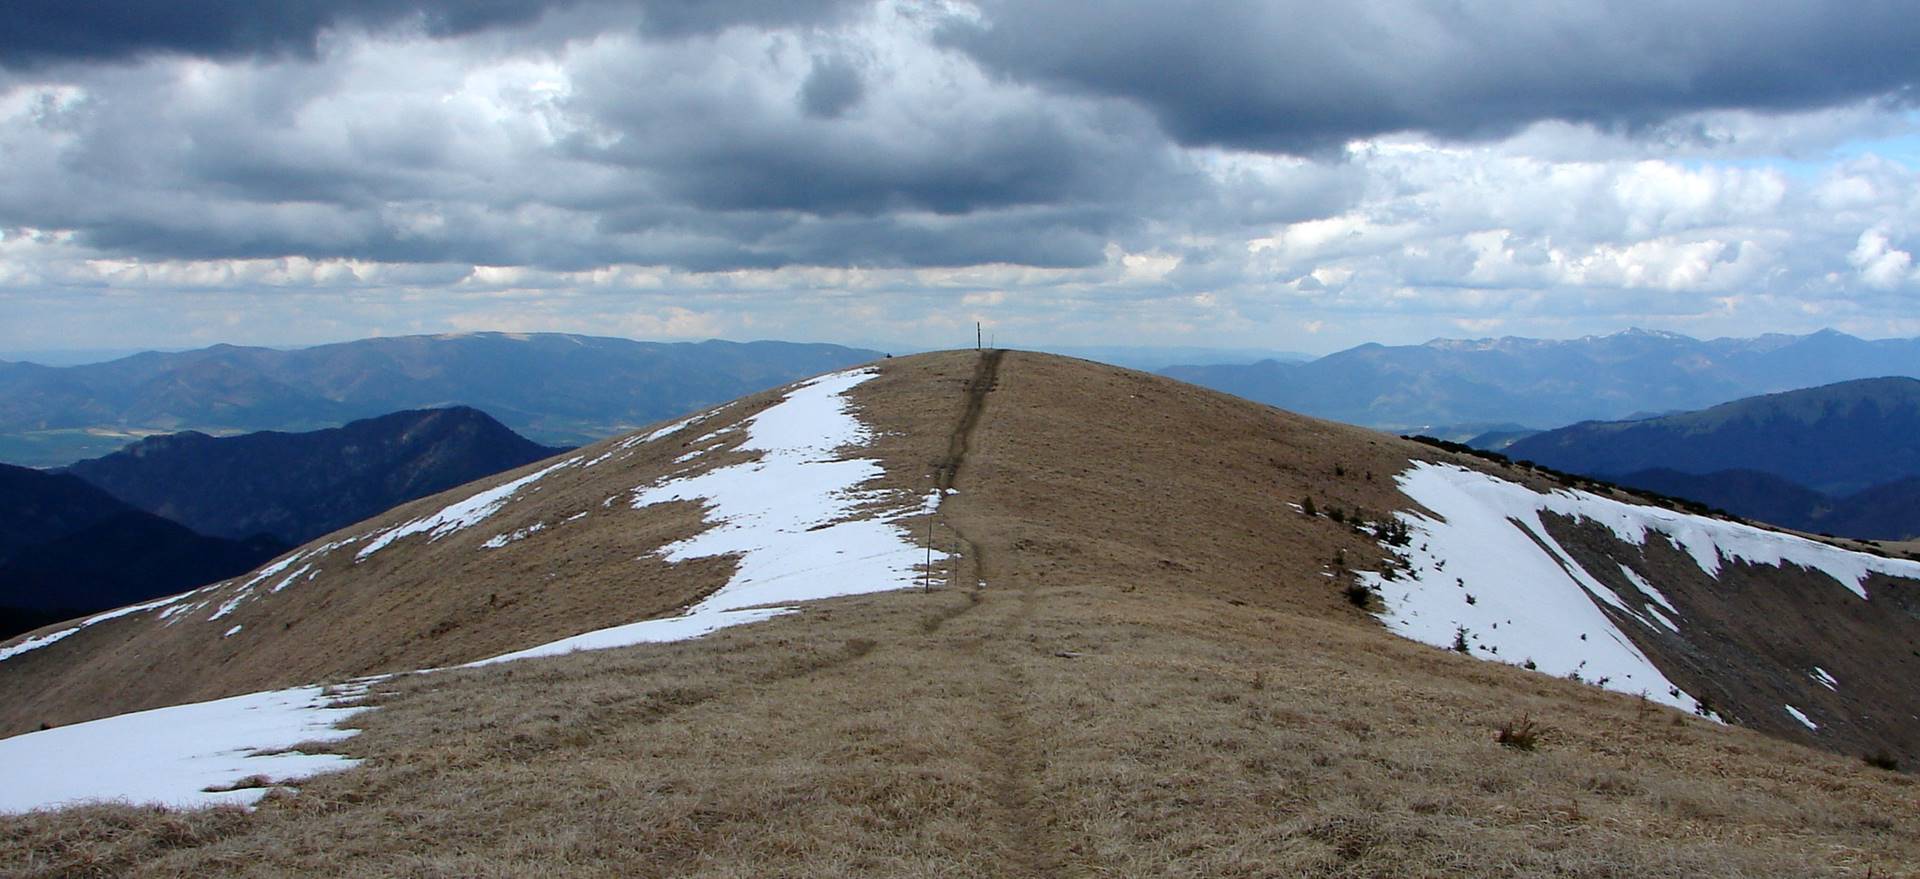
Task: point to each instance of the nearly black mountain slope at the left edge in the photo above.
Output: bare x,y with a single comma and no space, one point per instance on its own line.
68,550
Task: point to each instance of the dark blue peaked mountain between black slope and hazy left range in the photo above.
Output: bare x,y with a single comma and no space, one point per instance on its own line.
300,487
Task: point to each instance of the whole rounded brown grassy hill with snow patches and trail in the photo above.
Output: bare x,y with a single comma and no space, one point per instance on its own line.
1159,642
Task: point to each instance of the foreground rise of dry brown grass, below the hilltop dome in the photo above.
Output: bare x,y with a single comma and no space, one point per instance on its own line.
1180,742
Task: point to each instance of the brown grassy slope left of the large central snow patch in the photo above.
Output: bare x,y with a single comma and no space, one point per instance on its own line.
414,606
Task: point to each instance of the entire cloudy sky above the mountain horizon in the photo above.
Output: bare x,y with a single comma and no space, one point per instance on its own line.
1289,176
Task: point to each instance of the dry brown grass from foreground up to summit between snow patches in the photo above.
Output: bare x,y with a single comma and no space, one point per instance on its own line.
1153,682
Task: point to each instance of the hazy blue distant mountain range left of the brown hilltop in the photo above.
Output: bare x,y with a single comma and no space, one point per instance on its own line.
554,389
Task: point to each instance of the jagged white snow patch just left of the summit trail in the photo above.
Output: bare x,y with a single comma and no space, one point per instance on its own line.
786,517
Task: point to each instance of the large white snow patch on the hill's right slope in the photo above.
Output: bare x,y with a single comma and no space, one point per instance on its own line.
1531,602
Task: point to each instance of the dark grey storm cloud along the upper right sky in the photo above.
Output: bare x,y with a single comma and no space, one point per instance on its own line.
1308,76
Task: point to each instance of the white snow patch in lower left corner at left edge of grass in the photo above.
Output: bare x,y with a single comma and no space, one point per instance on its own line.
174,755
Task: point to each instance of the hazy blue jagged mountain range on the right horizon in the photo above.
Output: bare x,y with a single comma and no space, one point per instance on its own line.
1548,383
